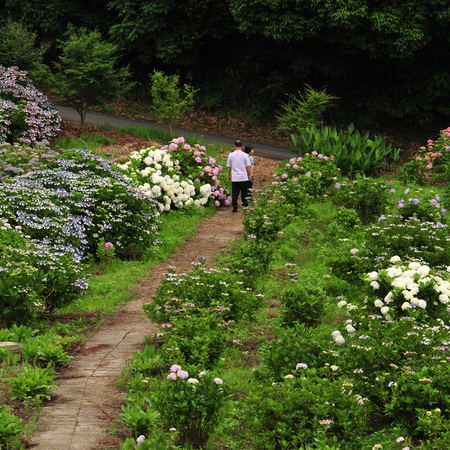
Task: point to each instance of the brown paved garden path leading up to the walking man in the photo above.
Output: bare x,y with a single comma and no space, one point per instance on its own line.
87,398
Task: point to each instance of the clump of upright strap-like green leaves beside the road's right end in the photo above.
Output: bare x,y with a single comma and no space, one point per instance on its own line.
352,152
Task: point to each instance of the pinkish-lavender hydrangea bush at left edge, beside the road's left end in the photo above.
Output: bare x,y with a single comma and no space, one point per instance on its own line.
25,113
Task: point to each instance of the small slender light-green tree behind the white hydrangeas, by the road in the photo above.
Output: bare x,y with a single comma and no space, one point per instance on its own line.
170,101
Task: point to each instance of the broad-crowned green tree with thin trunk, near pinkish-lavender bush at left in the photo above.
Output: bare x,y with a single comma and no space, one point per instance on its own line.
86,73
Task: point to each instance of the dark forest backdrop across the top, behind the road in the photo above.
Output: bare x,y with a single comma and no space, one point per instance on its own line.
385,61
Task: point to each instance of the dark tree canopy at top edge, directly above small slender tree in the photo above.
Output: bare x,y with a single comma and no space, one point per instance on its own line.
170,31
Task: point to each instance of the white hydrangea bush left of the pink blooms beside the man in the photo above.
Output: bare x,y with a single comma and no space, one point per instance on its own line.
161,180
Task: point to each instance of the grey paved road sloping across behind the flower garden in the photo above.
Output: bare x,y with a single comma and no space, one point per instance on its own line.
264,150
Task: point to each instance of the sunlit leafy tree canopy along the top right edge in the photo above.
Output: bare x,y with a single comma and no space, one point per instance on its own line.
397,28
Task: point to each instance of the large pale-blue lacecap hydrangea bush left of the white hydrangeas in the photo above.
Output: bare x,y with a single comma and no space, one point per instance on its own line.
74,207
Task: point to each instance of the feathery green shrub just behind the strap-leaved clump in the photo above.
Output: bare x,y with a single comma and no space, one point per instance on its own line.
305,110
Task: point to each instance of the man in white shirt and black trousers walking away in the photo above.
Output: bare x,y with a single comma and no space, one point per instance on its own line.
239,172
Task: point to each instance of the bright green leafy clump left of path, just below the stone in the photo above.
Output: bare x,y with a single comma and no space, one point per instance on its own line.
33,383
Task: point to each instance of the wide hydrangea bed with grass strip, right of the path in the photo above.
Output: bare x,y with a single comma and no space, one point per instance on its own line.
348,349
